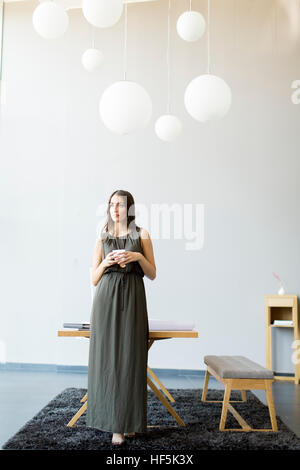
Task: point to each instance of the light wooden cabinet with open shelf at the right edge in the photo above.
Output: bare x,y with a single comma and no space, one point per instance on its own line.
282,312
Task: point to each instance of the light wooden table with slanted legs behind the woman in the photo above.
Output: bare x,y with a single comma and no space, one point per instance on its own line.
153,336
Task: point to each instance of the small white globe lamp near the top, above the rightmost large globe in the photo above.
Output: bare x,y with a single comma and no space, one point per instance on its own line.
190,26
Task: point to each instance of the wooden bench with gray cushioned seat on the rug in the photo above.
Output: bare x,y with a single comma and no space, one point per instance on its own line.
239,373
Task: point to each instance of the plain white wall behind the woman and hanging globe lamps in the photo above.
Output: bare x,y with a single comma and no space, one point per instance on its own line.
59,163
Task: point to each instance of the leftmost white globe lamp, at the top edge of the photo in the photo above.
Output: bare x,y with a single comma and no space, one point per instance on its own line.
50,20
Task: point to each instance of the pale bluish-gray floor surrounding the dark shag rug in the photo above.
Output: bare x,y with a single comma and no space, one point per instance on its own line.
23,394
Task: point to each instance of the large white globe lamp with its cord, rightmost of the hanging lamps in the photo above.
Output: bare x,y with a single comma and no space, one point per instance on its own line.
207,97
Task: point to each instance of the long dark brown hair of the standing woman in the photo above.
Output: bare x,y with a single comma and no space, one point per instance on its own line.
109,223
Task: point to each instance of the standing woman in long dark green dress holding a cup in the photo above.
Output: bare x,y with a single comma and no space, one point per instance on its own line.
117,372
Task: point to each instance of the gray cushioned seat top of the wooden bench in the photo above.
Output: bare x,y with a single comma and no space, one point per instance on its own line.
237,367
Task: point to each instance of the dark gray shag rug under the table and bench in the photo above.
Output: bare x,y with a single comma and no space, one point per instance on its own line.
48,431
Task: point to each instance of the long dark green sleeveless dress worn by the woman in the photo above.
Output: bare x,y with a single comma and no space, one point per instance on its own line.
118,354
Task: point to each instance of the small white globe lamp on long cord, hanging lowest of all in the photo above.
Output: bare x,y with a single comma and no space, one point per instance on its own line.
168,127
